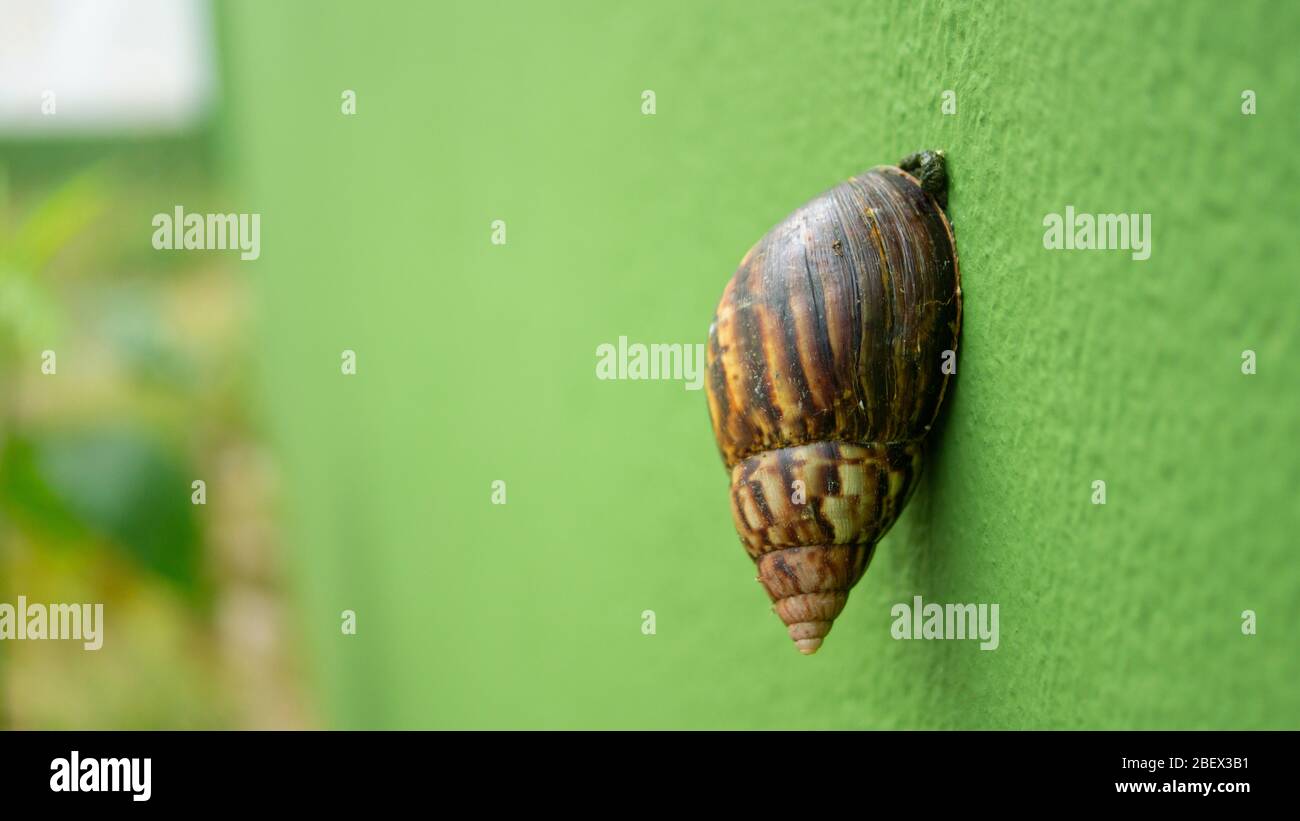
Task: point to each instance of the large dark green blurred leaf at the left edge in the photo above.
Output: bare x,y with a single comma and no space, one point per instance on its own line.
115,483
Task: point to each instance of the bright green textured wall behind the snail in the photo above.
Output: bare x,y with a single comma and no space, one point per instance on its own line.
476,363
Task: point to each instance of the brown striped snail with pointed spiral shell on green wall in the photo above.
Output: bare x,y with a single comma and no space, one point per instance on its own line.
826,370
